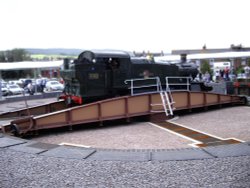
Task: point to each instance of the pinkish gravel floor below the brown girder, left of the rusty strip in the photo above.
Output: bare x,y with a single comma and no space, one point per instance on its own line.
130,136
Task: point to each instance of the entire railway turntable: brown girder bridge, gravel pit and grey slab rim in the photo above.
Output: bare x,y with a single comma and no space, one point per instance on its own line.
134,142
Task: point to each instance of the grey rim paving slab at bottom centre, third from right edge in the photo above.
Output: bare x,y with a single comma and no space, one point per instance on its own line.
121,155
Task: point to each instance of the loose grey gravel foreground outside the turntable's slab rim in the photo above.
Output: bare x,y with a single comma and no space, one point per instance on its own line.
26,170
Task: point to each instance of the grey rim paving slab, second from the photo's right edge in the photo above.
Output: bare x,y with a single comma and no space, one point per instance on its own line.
182,154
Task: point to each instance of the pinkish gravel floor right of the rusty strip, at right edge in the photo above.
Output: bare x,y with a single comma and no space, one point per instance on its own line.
231,122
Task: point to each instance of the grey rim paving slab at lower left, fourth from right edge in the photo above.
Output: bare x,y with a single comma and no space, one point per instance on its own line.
69,152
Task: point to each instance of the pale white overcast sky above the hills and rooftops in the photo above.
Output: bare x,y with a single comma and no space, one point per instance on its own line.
150,25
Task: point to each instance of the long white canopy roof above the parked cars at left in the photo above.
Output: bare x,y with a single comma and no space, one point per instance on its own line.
30,65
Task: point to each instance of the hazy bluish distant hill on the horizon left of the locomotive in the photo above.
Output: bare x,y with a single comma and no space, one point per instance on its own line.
54,51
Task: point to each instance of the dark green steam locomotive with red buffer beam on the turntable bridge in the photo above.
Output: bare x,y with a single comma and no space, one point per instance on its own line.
97,75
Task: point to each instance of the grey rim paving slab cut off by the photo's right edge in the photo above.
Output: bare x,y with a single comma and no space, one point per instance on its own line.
229,150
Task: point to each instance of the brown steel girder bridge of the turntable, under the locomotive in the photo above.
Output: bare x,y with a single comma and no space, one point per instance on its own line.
154,105
